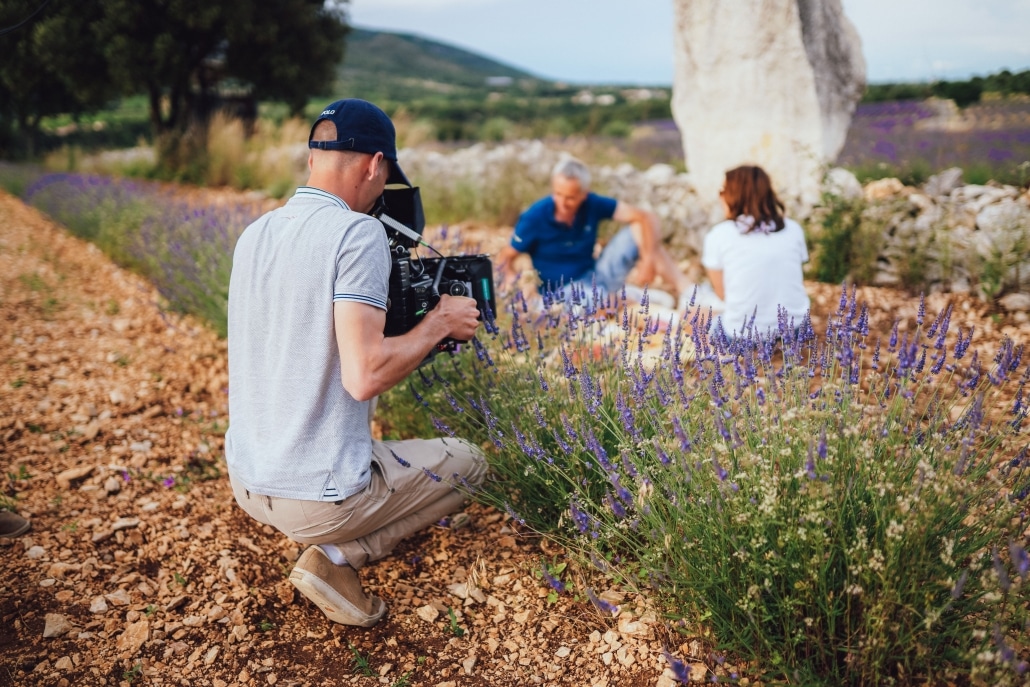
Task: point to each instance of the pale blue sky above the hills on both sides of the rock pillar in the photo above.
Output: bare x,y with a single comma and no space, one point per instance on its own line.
630,42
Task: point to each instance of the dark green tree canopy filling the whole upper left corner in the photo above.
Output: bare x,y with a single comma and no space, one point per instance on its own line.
76,54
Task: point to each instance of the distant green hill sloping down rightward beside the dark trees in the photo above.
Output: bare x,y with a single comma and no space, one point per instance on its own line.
394,66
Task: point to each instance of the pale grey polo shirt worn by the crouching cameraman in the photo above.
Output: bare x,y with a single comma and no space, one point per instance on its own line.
294,430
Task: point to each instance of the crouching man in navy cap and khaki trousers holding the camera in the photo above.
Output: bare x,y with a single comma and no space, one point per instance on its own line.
307,359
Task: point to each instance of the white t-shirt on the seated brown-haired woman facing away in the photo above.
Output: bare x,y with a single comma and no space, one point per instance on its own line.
761,270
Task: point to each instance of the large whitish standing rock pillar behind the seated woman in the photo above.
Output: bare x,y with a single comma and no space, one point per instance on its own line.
772,83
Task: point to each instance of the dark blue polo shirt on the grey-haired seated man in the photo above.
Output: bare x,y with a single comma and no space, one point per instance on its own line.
562,254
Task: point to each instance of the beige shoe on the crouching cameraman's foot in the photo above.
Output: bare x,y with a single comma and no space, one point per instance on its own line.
336,591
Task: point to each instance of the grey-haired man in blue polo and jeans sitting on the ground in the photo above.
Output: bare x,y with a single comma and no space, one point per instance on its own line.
560,233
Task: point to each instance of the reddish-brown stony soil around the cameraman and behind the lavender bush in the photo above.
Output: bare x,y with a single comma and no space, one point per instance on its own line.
141,570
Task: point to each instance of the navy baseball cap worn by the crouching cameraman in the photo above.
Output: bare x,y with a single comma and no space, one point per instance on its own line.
363,128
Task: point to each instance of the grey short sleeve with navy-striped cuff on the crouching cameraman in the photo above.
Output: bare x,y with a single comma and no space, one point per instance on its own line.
363,265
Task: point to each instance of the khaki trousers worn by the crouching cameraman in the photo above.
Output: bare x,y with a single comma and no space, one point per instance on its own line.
399,501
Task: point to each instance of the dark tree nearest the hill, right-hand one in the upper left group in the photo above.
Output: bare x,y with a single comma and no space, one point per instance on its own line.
281,50
